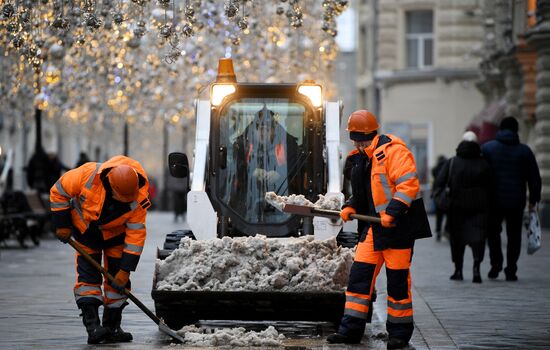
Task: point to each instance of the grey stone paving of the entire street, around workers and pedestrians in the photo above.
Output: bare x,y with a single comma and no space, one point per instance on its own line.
37,309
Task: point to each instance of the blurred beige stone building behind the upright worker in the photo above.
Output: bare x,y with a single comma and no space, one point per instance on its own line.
418,62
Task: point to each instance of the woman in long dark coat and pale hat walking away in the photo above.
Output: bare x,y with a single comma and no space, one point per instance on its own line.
470,185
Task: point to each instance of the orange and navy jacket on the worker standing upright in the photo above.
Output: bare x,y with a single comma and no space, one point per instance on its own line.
394,185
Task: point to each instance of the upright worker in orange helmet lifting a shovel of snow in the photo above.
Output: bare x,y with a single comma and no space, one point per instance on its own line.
384,184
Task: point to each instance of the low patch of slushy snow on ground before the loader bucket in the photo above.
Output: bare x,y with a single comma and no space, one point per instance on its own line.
234,337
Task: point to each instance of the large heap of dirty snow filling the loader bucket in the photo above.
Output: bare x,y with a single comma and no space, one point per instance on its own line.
256,264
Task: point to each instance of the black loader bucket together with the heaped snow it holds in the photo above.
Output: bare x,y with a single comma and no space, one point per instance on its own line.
252,278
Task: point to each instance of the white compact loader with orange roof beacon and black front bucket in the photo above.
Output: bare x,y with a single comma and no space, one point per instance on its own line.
252,139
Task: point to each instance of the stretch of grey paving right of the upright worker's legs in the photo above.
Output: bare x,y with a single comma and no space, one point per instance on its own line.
495,314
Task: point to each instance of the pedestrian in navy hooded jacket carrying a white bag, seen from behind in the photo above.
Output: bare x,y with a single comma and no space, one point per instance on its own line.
515,169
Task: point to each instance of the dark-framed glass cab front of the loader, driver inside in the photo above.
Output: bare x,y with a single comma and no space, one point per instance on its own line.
264,138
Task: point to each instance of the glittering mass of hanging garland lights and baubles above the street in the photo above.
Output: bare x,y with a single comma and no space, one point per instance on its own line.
106,61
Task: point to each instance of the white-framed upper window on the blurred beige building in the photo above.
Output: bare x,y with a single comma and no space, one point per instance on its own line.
419,38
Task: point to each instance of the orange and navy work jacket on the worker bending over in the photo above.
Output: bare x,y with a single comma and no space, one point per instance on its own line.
77,200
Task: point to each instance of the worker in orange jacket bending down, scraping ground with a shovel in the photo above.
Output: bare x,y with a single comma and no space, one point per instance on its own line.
103,206
